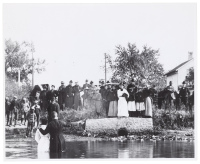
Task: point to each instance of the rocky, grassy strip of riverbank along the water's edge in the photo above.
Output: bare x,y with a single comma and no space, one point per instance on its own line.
18,134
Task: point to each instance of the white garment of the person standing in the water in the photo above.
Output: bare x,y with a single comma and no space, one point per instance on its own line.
43,143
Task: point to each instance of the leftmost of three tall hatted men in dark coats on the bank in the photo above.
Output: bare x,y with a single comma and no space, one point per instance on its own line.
61,95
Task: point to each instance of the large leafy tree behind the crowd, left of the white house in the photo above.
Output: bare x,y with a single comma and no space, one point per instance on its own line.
143,67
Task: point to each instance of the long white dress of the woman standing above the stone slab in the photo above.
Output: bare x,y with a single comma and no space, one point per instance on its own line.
122,103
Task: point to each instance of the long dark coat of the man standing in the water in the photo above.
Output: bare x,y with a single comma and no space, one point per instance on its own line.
57,141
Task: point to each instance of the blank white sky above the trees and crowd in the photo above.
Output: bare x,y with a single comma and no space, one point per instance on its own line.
73,38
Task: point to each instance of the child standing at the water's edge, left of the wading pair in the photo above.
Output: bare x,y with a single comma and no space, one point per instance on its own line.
31,117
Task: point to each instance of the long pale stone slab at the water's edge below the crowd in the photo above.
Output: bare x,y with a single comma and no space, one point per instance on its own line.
112,125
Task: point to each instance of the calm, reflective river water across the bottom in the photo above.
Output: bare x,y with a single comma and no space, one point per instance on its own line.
107,149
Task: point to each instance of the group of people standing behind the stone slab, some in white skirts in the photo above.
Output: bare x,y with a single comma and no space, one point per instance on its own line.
131,102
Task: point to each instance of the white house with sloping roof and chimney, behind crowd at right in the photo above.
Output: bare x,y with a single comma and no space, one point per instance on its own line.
178,74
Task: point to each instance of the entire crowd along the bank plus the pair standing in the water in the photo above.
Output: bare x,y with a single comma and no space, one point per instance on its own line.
116,100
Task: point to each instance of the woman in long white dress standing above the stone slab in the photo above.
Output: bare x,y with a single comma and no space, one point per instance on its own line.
122,103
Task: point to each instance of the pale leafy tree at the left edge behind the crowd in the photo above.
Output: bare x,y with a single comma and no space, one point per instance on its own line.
17,58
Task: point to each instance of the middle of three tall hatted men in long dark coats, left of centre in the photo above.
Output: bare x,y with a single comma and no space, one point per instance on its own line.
69,101
